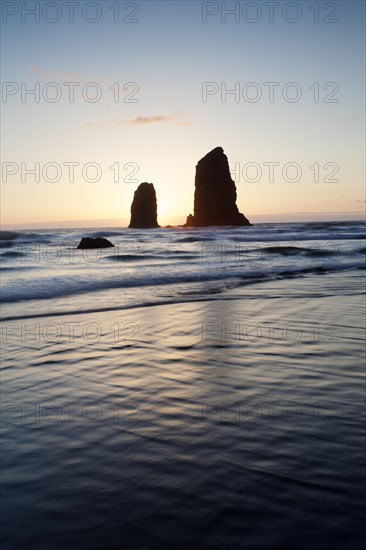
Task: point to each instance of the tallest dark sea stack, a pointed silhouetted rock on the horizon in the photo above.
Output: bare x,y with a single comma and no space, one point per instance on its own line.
215,193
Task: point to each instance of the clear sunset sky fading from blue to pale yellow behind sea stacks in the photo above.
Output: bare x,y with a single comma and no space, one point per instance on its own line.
127,92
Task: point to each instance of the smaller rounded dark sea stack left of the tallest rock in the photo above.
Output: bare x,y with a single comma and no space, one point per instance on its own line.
144,207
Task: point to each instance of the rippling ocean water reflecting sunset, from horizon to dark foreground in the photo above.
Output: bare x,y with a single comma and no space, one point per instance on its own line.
199,388
